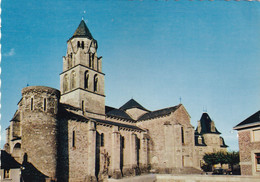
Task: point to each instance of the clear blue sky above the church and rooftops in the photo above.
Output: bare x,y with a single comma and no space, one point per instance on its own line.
204,54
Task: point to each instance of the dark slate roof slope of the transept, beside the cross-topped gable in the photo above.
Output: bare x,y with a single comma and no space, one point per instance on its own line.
158,113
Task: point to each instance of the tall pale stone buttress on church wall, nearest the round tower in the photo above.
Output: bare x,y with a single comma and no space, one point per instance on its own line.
91,151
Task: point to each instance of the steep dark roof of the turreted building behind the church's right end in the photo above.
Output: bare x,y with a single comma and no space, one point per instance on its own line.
205,123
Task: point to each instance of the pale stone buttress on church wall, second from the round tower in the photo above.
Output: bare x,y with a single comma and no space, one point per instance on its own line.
116,172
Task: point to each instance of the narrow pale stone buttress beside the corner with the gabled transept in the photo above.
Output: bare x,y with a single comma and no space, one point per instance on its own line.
144,152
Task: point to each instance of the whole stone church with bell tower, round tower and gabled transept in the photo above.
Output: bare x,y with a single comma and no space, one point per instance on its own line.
71,135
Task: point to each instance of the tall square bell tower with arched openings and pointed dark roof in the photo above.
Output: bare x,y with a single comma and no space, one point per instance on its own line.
82,79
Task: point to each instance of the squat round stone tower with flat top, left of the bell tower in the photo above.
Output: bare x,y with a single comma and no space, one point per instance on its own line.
39,108
